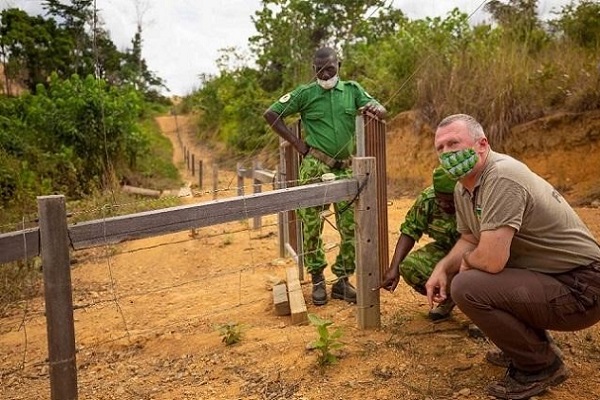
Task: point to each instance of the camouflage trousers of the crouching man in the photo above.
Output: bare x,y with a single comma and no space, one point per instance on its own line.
419,264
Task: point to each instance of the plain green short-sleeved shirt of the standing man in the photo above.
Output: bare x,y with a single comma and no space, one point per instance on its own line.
328,116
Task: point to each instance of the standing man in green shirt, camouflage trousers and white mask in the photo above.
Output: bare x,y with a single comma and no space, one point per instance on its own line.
328,108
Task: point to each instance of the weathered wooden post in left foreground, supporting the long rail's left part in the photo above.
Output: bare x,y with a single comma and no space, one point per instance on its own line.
58,296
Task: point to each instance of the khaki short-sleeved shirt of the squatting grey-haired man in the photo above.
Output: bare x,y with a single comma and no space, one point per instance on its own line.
550,237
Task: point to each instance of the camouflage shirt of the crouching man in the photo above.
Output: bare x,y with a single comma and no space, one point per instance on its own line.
426,217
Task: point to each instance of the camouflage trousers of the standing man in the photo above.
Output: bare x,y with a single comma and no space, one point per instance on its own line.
311,170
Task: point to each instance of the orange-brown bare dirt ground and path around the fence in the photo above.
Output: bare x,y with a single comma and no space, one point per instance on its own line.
147,313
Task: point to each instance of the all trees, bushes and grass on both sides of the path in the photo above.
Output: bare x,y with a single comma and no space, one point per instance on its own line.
76,114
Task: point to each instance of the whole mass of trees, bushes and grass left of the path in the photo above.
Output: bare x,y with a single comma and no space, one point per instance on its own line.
77,125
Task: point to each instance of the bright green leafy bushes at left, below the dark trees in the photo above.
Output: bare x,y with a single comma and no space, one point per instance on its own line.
67,138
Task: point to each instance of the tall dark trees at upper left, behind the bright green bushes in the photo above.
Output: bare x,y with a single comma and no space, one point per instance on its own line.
33,47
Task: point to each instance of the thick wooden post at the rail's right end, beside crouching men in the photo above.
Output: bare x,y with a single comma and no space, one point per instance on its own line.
367,244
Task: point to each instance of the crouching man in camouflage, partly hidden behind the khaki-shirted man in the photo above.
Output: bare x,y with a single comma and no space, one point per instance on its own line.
433,214
